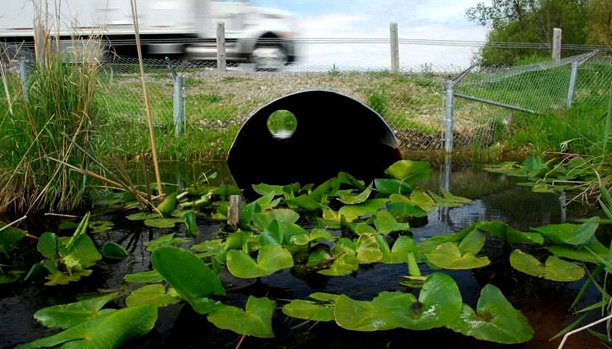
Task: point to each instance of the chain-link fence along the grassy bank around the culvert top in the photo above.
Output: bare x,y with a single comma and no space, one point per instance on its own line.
414,101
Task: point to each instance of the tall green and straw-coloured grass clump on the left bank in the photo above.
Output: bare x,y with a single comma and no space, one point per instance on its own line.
36,132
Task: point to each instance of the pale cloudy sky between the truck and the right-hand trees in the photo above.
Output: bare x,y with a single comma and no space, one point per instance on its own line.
417,19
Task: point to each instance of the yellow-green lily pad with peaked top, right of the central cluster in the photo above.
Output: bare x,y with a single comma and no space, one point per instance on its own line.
448,256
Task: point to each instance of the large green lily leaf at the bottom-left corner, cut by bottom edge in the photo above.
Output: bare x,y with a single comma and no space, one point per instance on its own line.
107,331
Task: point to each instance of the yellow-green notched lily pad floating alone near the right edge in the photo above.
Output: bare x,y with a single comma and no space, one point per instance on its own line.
553,269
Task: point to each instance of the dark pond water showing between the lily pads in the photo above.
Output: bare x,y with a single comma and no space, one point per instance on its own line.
496,197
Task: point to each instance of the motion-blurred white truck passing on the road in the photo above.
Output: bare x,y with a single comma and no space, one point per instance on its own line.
177,28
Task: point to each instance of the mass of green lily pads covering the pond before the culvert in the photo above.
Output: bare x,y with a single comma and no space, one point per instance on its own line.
331,230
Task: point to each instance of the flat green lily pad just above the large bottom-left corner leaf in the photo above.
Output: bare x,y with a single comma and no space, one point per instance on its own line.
67,315
